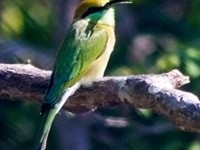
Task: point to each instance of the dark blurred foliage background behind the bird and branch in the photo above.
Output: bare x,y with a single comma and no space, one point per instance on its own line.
153,36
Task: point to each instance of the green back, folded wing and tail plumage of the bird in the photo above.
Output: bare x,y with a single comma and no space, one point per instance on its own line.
83,44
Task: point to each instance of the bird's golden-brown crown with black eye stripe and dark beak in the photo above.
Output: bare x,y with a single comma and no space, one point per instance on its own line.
89,7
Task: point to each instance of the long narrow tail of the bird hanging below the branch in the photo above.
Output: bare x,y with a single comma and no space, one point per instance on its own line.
49,116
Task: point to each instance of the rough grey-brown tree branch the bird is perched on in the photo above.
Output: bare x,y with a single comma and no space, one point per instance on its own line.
158,92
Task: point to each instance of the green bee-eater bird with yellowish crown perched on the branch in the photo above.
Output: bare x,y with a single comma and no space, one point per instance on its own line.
82,57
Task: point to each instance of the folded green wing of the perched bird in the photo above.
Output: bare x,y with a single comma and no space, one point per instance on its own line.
77,53
